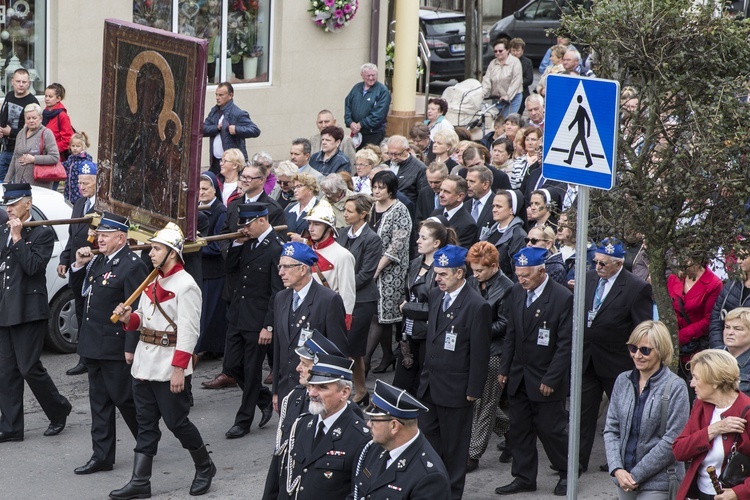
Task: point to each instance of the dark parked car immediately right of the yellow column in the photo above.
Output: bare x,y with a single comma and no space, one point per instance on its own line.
445,33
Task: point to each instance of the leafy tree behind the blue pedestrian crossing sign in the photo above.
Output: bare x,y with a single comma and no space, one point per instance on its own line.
682,168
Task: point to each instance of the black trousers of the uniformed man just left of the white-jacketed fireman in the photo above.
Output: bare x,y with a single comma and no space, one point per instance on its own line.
110,387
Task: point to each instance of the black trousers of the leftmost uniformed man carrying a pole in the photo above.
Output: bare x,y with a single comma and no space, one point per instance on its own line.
20,349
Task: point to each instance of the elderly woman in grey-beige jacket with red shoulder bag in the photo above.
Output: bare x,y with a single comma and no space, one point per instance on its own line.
35,145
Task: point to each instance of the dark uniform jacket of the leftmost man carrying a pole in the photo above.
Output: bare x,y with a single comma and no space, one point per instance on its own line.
23,284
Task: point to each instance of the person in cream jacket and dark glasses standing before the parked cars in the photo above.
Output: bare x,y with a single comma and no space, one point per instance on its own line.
503,81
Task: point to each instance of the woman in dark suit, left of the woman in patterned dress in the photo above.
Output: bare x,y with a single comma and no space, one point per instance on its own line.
365,245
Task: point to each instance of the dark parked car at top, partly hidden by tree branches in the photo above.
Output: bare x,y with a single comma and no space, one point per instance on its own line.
531,23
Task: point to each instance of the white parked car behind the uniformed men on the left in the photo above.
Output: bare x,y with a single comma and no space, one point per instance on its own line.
62,331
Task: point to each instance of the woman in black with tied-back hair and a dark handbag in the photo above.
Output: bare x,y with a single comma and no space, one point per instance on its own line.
420,280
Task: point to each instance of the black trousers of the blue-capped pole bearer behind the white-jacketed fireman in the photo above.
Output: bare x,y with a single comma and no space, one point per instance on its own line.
243,361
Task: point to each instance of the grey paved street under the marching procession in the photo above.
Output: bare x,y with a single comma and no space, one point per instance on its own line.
42,467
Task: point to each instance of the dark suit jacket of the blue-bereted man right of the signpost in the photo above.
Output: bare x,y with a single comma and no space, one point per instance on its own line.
628,303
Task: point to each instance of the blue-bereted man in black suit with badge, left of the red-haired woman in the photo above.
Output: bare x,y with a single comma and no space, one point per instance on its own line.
456,357
